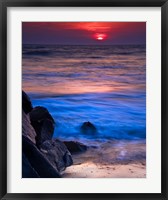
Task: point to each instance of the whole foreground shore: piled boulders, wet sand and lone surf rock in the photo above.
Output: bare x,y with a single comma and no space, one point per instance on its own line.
46,157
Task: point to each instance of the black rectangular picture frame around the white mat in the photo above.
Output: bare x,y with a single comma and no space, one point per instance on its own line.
4,4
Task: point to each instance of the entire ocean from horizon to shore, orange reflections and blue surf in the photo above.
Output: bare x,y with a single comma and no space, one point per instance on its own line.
105,85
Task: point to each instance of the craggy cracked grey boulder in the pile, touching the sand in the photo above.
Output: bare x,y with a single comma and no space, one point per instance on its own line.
57,153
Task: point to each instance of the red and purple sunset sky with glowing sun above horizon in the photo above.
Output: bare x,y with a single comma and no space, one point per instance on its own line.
84,33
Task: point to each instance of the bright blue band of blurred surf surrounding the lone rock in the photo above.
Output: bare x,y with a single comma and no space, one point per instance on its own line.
112,114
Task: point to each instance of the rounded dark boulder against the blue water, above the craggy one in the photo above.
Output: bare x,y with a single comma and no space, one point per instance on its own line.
43,124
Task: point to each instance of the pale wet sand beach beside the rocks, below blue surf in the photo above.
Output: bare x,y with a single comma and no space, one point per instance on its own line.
111,159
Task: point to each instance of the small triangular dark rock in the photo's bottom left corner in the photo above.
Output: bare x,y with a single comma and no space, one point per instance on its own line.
27,170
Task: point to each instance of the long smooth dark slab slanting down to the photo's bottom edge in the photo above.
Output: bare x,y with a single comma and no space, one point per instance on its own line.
38,161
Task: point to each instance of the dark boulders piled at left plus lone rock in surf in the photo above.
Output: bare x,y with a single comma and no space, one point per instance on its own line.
42,155
